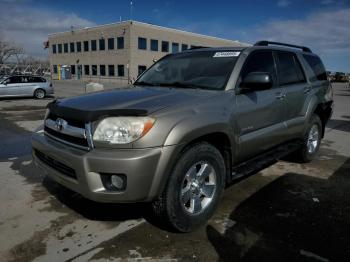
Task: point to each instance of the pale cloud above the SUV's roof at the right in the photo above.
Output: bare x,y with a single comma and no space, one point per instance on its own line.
325,31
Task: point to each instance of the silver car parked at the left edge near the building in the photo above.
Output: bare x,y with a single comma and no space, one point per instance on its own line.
25,85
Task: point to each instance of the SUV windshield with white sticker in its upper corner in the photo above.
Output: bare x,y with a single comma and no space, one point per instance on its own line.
200,69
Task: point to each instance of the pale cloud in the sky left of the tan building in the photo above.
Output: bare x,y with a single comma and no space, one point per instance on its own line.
30,27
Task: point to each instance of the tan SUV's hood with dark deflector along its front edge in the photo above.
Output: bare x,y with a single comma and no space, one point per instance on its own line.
132,101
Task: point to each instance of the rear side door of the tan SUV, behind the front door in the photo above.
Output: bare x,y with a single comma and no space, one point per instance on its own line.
292,78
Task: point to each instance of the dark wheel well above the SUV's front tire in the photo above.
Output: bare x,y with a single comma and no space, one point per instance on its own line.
221,142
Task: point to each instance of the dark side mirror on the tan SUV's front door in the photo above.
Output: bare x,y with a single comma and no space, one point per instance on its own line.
257,81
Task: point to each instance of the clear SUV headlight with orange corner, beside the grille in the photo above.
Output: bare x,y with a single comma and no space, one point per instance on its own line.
122,130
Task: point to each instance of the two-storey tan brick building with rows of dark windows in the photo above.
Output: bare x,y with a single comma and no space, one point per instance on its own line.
119,52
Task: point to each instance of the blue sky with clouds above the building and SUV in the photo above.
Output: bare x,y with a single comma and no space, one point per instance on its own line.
322,25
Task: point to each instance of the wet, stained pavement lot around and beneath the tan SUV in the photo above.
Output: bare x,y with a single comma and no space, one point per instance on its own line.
287,212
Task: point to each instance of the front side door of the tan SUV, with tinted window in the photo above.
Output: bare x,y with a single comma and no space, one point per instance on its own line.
259,114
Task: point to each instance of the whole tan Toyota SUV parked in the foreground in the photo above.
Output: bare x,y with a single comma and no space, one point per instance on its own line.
191,124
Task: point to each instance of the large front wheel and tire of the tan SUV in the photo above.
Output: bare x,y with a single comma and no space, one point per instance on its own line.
189,199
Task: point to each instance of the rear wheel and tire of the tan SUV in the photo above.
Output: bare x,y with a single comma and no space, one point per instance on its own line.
312,140
